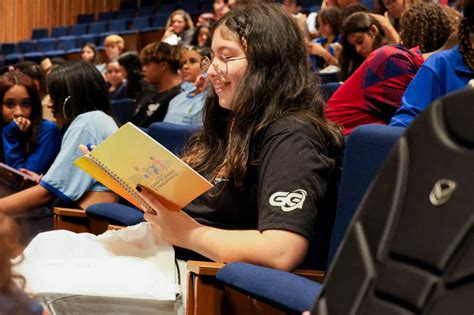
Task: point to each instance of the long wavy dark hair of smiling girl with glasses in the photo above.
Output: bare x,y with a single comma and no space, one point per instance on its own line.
278,83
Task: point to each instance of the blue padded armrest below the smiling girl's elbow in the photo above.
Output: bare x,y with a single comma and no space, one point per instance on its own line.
280,293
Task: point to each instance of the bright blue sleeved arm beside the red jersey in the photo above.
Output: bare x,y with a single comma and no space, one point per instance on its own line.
422,91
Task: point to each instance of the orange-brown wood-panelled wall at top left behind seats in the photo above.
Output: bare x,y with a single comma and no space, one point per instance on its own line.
19,17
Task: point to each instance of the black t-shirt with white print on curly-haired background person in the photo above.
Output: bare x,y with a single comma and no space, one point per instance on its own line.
155,108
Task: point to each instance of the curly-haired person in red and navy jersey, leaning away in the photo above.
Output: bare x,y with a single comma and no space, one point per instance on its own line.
374,92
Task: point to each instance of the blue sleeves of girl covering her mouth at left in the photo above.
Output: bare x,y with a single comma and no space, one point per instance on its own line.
49,143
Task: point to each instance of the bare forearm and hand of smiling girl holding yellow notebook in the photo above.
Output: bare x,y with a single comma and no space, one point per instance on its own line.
272,248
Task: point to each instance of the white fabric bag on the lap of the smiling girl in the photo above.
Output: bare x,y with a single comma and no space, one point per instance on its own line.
124,263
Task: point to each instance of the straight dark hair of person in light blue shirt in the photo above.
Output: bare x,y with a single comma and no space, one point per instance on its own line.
75,88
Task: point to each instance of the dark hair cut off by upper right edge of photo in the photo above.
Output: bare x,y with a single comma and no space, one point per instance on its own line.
466,28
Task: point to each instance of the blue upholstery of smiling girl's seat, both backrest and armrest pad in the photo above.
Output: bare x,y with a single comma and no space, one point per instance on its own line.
367,147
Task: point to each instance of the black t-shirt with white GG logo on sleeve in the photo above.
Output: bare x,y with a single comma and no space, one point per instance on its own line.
292,187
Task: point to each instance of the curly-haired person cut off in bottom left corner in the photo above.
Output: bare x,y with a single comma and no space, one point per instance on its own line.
12,299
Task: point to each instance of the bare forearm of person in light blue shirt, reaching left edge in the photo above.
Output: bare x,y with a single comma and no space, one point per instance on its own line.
25,200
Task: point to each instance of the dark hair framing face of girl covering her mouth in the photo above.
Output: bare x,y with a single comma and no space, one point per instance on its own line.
7,81
